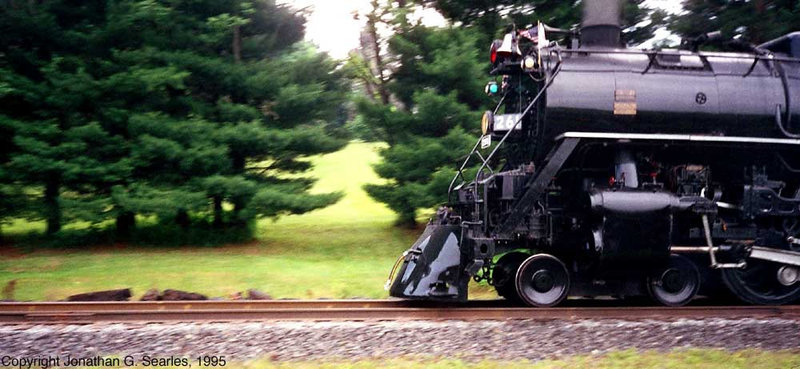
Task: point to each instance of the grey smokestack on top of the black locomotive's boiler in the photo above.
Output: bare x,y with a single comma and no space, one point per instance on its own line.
601,23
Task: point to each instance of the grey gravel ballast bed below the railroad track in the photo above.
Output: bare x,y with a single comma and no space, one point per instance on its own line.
513,339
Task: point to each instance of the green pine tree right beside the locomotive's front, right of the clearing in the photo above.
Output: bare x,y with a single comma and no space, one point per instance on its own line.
436,93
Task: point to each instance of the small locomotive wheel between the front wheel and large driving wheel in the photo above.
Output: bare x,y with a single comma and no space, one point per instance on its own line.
676,284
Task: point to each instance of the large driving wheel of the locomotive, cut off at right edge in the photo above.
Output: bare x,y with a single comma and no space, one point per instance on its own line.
760,283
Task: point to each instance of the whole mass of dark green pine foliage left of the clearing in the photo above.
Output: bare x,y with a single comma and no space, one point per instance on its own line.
164,108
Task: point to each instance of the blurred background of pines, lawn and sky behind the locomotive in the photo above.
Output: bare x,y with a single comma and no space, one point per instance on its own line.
292,146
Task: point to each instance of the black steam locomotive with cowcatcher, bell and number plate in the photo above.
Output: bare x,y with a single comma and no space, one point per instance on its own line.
619,172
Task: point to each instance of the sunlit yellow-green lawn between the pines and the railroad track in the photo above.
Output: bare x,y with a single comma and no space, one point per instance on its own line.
342,251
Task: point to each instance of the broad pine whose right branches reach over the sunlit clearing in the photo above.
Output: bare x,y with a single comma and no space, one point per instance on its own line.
255,98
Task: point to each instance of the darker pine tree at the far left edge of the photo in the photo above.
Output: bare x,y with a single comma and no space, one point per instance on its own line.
58,145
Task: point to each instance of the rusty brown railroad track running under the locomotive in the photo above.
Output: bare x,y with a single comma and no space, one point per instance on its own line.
354,310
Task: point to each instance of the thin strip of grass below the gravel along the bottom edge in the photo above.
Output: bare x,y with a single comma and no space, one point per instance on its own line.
677,359
